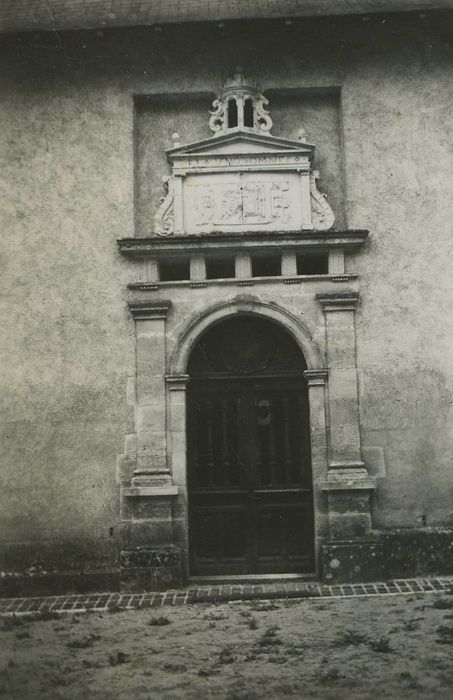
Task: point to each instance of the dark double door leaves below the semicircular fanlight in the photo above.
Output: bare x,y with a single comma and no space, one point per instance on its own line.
251,508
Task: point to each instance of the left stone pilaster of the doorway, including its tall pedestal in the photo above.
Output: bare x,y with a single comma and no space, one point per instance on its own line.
149,501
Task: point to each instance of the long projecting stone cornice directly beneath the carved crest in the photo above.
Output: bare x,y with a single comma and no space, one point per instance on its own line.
153,246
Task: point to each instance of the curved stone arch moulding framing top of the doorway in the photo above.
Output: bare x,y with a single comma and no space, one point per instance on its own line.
271,311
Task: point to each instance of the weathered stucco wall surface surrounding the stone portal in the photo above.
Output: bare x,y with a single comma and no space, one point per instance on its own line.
71,167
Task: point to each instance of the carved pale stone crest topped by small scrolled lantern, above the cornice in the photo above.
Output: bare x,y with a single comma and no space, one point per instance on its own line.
242,178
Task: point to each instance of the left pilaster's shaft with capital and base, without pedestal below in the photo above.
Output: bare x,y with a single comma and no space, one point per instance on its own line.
151,469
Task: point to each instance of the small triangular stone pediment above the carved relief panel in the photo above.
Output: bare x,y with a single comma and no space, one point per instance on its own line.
241,142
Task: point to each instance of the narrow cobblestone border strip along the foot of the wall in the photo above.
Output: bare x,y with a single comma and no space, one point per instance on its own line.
219,594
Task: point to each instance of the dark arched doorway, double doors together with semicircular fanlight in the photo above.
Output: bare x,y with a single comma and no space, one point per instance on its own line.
248,450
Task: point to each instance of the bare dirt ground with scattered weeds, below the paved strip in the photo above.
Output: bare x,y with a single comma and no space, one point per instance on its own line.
387,647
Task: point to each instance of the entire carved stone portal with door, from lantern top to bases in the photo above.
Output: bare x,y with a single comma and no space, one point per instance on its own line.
260,469
